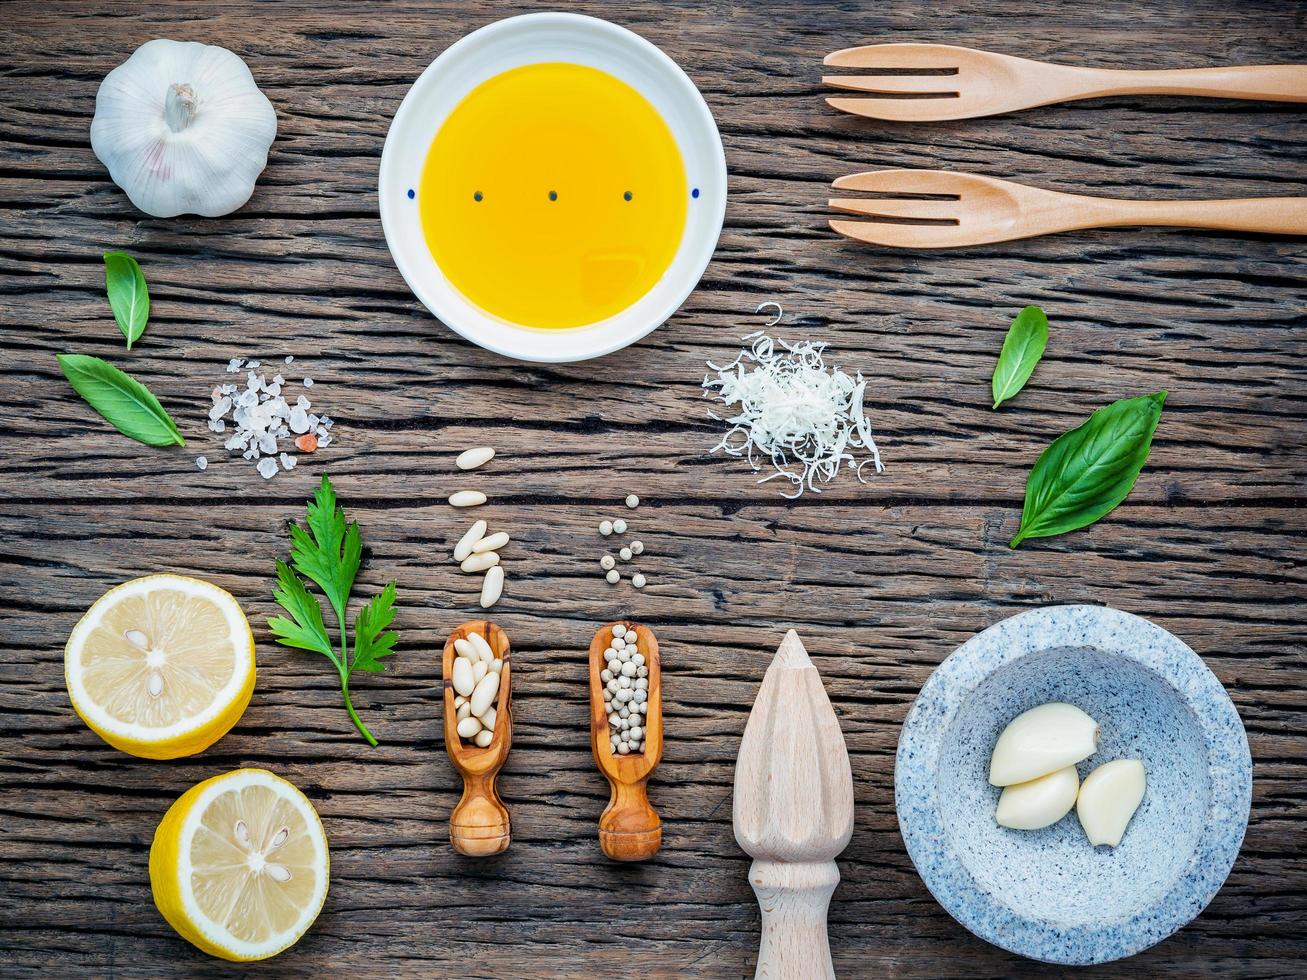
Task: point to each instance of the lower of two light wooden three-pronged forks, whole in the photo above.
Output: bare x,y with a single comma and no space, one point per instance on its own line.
965,210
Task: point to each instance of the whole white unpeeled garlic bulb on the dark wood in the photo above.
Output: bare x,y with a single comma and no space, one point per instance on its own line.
184,129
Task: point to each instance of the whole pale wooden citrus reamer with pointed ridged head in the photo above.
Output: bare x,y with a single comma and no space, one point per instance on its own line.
794,813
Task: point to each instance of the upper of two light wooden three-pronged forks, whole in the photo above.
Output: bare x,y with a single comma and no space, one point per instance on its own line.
961,83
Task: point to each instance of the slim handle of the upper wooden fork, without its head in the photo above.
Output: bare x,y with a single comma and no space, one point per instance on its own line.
1272,83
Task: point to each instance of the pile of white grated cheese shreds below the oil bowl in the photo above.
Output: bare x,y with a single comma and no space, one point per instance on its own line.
794,411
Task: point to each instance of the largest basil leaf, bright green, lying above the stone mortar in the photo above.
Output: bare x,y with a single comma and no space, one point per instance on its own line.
1091,470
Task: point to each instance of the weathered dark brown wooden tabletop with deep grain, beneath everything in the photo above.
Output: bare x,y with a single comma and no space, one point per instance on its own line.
883,581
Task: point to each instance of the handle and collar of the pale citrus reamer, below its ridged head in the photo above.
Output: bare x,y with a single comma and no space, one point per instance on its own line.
794,900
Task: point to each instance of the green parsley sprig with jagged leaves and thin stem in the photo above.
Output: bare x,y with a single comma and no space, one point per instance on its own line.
329,555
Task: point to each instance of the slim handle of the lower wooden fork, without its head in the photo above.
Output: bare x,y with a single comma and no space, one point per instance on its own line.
1276,216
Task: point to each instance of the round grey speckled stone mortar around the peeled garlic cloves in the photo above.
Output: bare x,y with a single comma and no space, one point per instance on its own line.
1049,894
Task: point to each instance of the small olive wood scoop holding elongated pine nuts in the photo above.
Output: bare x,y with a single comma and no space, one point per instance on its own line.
479,825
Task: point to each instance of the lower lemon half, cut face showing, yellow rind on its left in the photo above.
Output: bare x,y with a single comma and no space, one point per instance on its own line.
240,866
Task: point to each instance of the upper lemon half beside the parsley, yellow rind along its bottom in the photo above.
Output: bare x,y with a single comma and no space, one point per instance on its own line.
161,667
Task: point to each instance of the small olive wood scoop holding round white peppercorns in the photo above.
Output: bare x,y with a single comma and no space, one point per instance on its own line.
629,829
